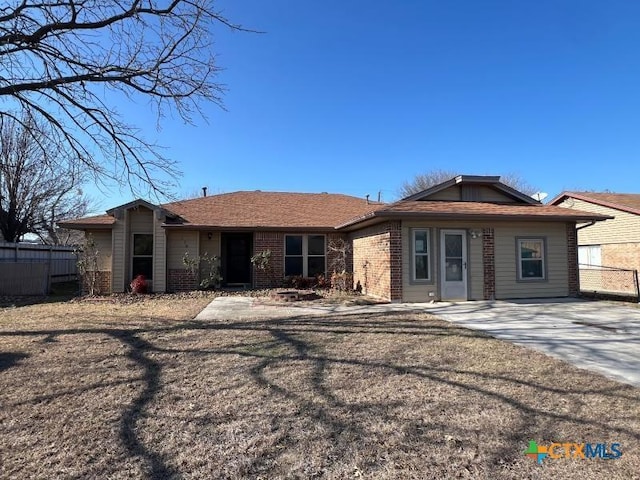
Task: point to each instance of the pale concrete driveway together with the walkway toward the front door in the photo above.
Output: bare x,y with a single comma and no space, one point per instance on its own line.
599,336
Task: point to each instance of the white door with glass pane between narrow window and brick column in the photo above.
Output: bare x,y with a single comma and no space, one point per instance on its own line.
453,264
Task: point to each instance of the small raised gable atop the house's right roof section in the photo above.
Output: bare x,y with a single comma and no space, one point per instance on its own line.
465,188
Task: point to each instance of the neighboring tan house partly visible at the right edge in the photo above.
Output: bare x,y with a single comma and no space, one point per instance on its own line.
614,243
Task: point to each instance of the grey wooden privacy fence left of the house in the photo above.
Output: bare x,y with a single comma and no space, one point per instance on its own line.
29,269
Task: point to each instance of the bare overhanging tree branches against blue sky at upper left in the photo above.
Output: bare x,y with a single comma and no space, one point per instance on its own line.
62,60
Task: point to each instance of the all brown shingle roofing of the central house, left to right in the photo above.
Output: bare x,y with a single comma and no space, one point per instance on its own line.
327,211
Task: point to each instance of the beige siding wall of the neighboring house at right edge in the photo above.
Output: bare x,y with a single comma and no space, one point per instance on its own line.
624,228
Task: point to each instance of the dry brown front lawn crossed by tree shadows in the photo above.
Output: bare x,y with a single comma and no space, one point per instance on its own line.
137,389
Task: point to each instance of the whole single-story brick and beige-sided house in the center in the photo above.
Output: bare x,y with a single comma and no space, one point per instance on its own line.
469,238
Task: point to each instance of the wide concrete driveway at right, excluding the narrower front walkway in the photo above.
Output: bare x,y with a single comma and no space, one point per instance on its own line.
600,336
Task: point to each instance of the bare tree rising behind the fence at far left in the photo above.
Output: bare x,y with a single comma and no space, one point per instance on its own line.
38,185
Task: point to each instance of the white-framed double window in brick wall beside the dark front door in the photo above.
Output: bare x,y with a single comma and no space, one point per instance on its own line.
304,255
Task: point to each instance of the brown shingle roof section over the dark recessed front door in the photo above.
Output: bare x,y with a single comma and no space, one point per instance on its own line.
270,210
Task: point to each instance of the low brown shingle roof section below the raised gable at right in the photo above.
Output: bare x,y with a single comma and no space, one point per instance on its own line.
477,210
